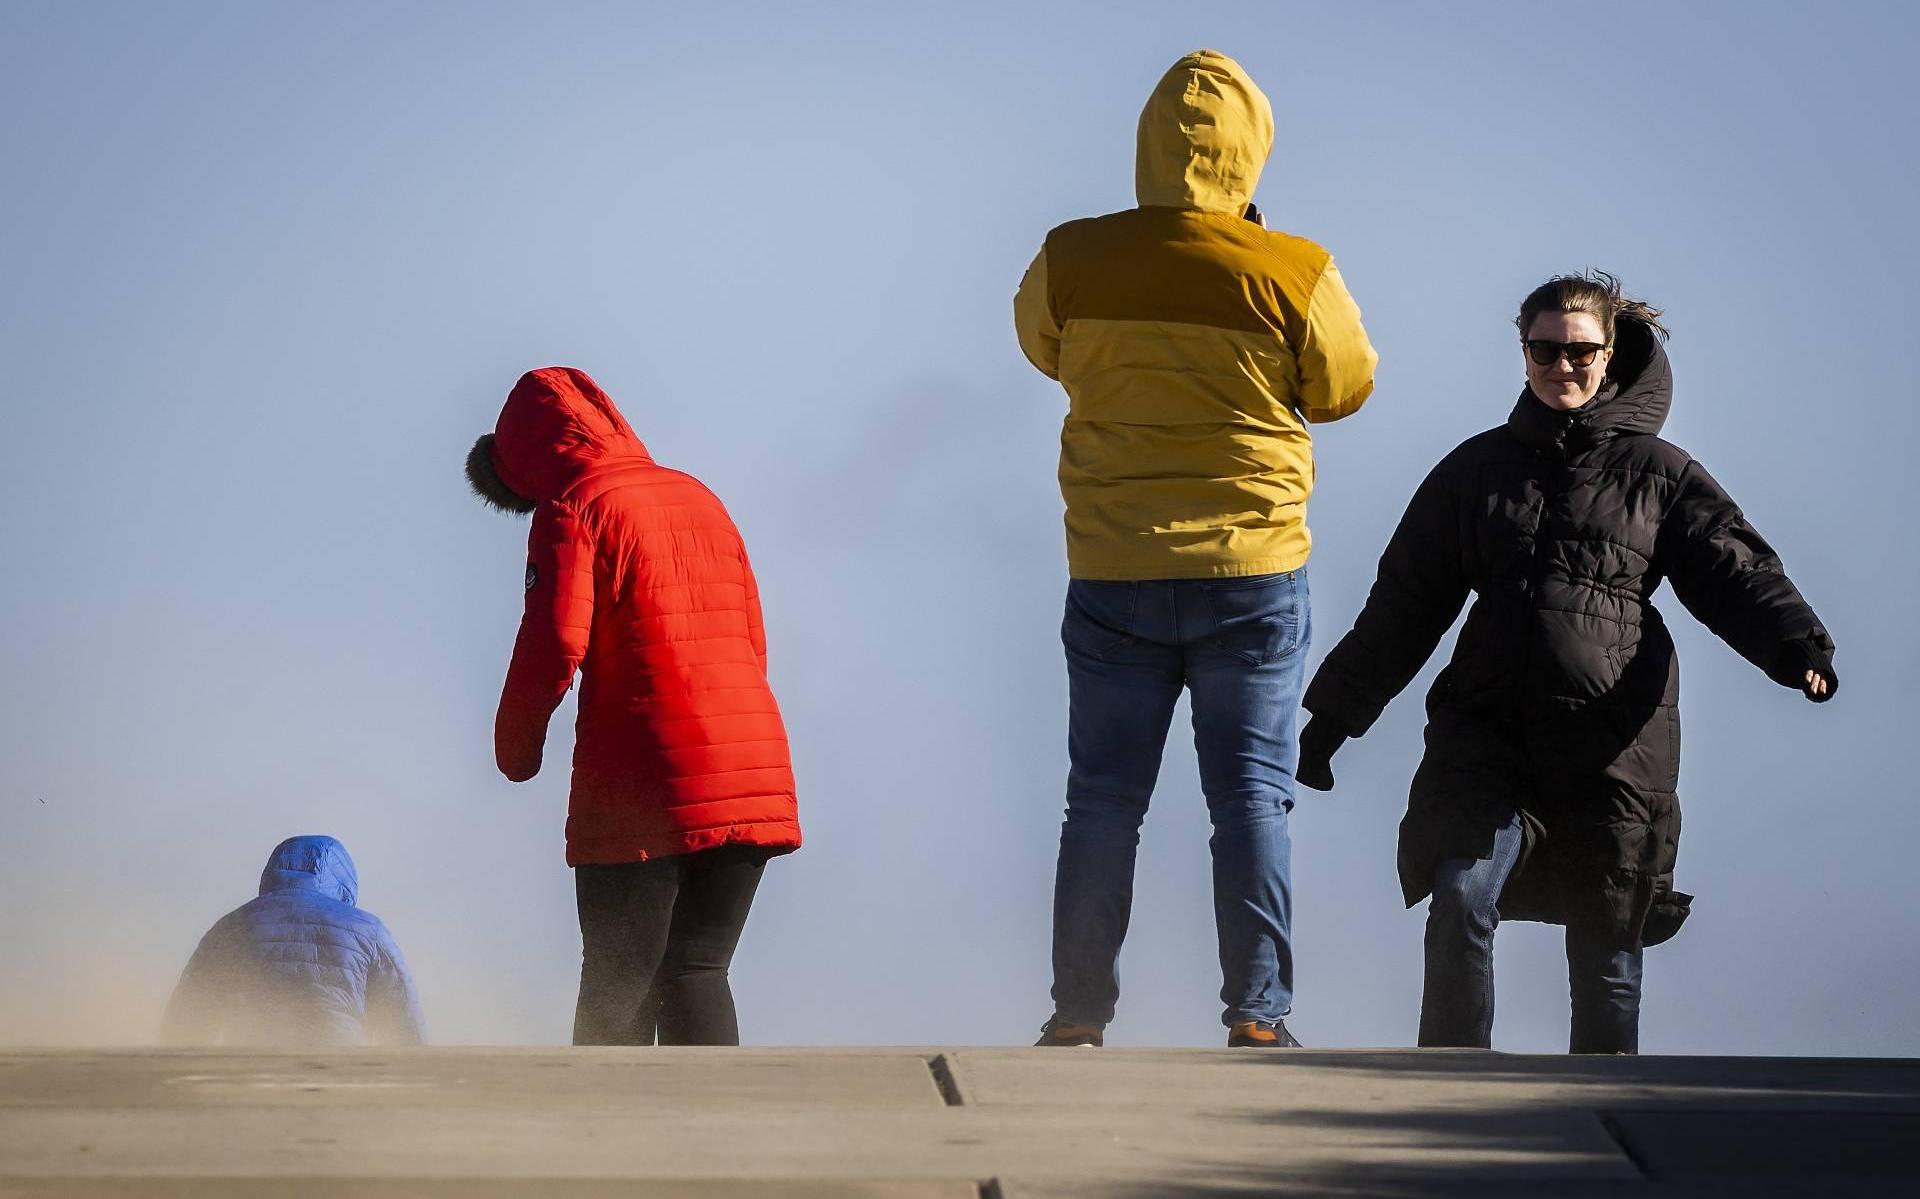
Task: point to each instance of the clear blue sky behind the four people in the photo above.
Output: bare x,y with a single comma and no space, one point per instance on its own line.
272,268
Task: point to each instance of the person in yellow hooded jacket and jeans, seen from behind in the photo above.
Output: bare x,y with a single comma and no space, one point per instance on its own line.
1195,349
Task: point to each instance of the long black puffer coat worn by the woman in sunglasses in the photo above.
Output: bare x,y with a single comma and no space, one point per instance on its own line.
1562,698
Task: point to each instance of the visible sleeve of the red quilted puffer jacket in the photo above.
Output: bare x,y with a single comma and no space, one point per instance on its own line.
552,643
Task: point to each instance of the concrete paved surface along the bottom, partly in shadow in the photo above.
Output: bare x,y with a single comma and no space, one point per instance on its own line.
948,1125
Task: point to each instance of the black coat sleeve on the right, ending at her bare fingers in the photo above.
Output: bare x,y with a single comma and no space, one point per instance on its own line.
1729,577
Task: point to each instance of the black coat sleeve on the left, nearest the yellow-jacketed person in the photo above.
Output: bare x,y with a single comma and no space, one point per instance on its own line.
1418,593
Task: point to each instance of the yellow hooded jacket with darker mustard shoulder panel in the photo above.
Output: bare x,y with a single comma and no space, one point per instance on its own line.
1195,349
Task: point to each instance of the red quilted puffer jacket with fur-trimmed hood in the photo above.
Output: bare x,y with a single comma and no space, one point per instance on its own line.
638,579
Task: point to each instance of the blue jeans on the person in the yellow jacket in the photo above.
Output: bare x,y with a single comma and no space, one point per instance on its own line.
1239,647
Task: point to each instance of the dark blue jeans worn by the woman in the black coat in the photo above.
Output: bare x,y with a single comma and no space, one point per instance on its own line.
1458,1000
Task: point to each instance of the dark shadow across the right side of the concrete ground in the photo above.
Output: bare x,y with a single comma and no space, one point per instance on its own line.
1660,1127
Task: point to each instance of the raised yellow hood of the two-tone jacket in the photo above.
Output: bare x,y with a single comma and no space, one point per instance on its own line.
1205,137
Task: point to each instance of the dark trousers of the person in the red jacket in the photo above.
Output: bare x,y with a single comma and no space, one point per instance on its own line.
656,946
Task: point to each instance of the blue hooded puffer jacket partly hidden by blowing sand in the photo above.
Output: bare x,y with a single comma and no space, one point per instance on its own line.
300,966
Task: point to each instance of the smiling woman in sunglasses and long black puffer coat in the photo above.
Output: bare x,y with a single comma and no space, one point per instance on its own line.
1554,735
